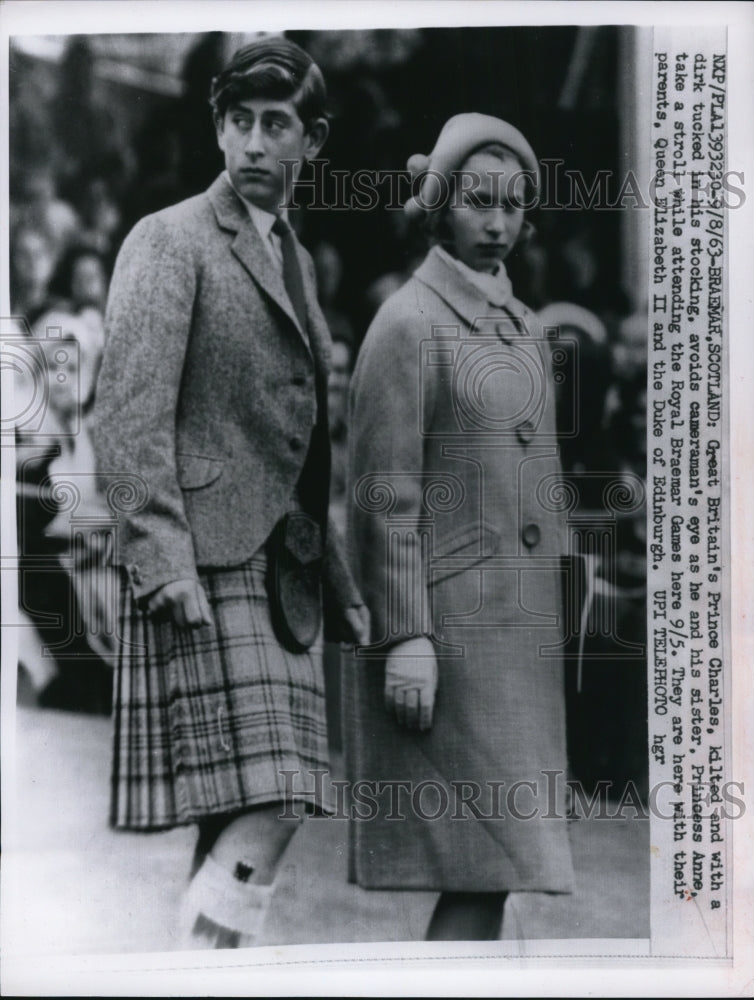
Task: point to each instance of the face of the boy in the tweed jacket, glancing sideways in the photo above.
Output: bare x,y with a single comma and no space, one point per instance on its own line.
255,135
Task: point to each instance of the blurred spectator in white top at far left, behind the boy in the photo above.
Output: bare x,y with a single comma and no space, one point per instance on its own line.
55,482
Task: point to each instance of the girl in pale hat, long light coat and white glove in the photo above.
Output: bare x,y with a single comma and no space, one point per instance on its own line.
454,715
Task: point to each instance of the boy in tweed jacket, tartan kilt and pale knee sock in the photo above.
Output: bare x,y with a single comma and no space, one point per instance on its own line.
213,391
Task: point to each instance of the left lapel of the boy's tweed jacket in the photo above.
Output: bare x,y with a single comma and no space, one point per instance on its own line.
247,246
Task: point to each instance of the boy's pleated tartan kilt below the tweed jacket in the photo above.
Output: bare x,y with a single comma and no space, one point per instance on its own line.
205,720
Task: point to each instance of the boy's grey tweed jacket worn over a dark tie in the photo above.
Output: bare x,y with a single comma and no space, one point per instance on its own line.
209,390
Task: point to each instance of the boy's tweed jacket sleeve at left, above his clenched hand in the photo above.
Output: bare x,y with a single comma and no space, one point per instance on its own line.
147,325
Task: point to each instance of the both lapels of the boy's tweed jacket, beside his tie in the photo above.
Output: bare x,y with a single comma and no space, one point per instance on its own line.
247,246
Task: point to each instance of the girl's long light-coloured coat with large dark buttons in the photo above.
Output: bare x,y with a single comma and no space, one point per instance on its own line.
456,532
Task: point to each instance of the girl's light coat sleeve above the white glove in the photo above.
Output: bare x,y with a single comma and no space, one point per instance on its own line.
391,406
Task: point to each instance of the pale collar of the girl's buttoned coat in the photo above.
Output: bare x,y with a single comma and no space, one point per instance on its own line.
466,299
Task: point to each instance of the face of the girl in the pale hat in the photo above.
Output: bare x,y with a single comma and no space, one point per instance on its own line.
485,217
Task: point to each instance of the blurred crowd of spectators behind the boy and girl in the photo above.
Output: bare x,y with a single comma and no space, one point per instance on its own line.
82,173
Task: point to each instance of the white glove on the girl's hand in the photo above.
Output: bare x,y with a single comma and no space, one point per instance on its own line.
411,682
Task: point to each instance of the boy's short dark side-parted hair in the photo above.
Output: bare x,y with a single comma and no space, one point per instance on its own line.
274,68
